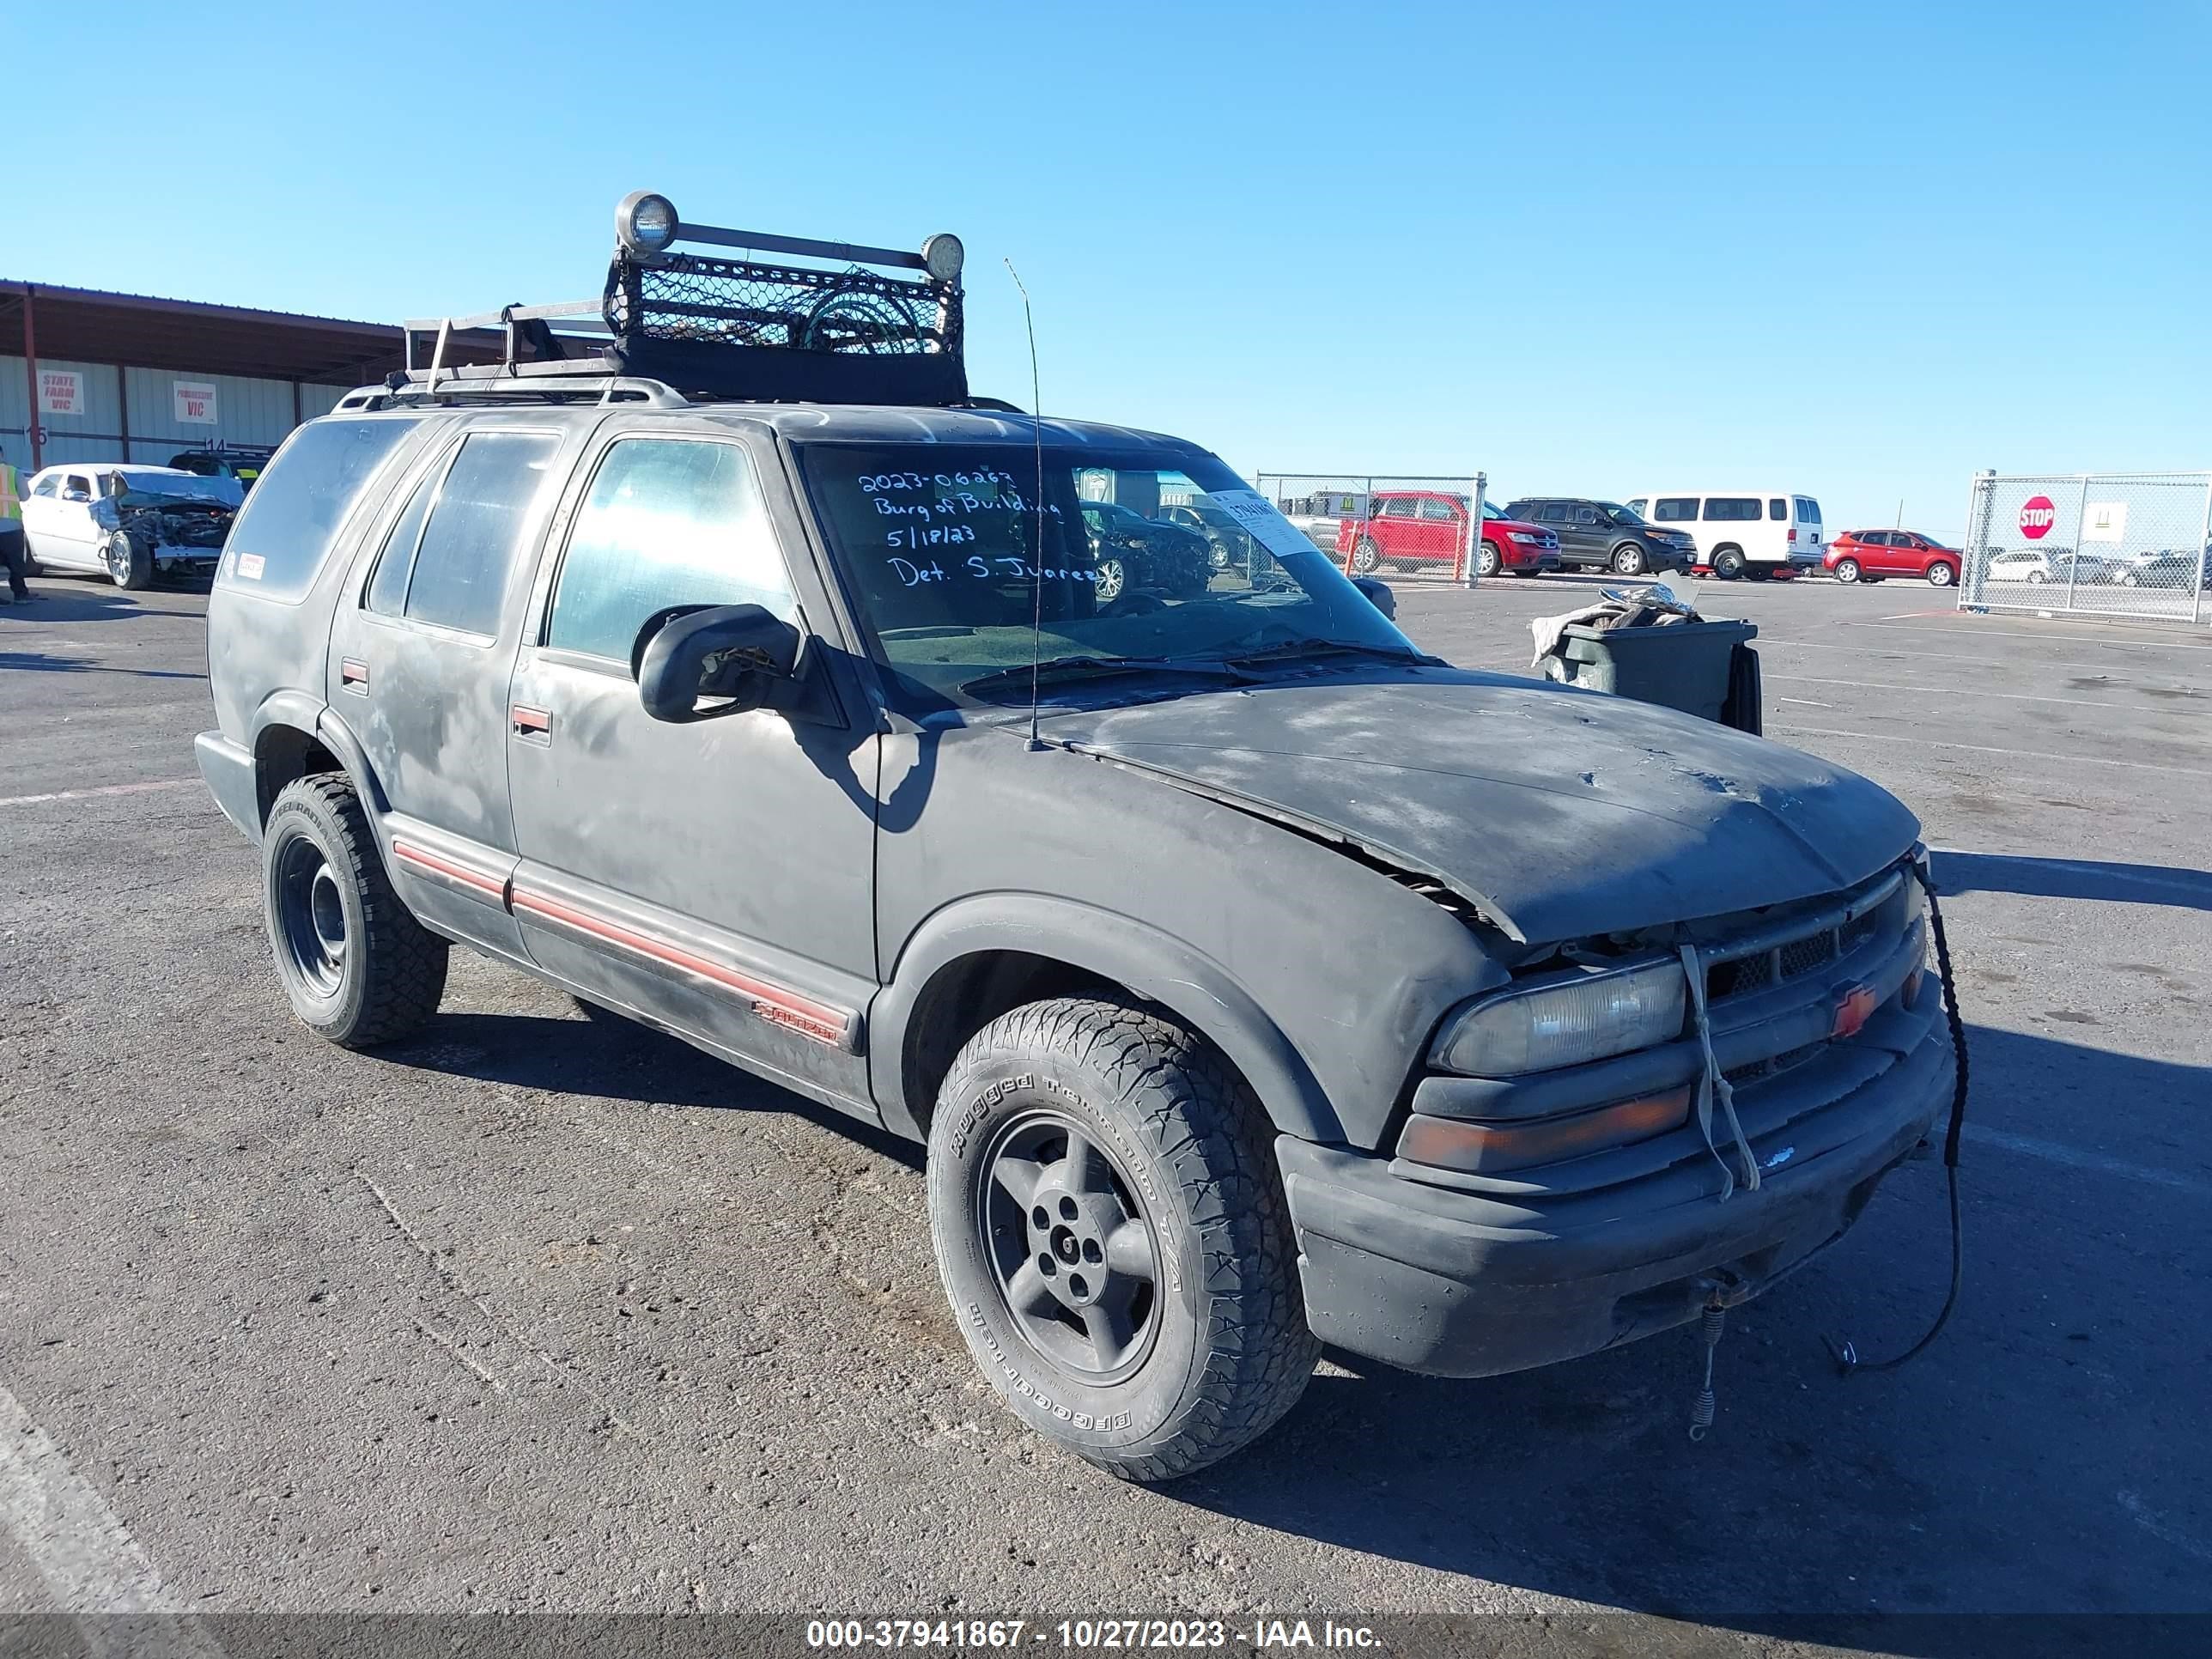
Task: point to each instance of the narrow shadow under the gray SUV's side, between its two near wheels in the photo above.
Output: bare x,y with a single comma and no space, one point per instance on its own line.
614,1061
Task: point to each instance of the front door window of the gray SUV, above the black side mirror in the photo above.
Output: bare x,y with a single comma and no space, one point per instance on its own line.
667,523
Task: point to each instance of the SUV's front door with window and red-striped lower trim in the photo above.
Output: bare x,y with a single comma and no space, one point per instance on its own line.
711,877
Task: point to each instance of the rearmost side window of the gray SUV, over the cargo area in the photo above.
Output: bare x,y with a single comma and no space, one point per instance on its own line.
302,501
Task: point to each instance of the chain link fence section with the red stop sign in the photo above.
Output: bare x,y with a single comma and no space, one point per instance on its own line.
2109,545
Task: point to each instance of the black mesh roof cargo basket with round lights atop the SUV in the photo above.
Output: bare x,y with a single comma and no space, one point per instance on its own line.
853,326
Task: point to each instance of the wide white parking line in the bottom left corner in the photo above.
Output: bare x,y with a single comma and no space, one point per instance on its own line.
90,1561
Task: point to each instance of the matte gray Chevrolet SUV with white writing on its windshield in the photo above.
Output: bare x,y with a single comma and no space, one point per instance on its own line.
1253,979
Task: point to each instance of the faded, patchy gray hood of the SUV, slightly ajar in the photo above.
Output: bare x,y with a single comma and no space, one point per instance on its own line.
1556,813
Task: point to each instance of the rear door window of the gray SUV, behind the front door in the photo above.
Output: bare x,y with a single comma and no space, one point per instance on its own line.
470,536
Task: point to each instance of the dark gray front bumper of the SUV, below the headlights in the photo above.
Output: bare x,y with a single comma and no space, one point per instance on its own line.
1545,1266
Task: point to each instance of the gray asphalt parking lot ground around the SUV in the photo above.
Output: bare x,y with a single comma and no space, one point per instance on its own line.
525,1317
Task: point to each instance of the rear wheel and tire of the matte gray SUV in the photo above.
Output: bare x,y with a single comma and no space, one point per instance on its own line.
355,963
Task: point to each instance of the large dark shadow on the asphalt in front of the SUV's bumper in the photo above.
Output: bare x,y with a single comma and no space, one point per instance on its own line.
1822,1499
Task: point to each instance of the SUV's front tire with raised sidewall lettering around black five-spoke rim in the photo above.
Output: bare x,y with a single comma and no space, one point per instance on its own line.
1229,1350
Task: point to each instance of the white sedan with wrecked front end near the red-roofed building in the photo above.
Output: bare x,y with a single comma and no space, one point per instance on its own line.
127,523
